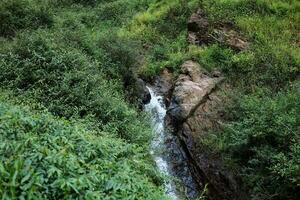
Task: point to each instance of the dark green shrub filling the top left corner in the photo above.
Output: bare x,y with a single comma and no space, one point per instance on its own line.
22,14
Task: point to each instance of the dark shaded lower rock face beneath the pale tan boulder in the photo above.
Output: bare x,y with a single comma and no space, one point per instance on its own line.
223,184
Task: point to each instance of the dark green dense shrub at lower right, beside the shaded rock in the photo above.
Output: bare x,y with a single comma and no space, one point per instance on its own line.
264,138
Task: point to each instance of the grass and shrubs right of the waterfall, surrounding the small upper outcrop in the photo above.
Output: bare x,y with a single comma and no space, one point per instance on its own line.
261,134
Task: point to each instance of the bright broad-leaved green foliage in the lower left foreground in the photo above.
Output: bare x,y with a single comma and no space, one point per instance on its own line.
43,157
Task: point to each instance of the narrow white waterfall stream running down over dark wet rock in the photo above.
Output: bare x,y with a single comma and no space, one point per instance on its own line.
168,154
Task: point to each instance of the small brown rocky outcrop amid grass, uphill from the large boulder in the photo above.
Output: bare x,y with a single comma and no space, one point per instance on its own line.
202,31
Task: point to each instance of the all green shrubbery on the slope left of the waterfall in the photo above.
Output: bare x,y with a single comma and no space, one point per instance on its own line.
67,131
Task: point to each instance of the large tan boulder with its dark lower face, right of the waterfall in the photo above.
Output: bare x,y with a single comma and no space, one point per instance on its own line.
194,112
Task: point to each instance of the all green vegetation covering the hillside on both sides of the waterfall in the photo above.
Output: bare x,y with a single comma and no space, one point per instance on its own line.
78,60
